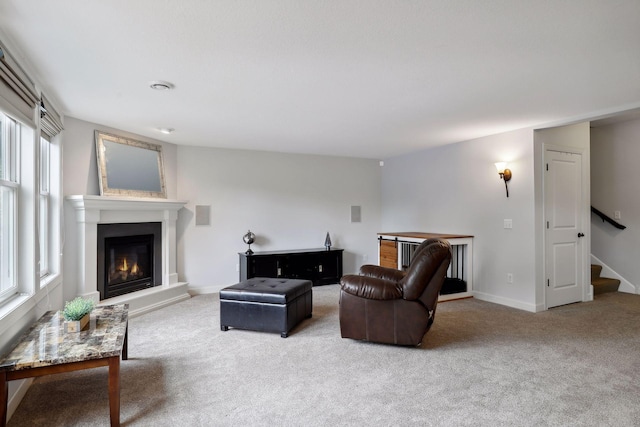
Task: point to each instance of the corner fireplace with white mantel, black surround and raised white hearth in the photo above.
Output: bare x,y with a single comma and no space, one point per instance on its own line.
93,211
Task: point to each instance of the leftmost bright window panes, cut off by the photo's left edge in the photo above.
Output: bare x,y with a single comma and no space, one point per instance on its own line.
9,186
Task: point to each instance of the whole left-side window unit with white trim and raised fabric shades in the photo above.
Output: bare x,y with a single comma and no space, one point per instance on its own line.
30,187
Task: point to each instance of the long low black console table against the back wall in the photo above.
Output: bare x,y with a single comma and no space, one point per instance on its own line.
321,266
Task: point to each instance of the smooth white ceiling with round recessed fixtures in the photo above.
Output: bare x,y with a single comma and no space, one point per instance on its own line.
361,78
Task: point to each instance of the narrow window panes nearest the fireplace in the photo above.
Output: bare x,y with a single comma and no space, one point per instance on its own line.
44,206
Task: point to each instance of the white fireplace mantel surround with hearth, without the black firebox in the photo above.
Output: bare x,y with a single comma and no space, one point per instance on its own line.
94,210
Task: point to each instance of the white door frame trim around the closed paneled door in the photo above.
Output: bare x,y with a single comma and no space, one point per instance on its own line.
587,288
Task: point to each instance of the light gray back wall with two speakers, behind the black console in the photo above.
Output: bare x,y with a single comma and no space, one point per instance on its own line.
289,201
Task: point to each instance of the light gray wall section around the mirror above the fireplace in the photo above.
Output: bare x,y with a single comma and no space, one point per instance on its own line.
80,176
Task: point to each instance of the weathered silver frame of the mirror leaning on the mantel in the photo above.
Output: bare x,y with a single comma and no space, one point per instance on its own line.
128,190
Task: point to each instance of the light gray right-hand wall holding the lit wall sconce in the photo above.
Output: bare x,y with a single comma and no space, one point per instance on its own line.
456,189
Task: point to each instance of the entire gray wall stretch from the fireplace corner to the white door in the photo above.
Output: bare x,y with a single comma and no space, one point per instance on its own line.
290,201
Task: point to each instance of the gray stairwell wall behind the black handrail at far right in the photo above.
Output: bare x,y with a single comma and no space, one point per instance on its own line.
615,150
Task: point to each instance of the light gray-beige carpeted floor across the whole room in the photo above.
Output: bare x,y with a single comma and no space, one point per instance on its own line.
480,365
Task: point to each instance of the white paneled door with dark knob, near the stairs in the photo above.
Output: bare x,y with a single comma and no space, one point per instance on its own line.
564,228
